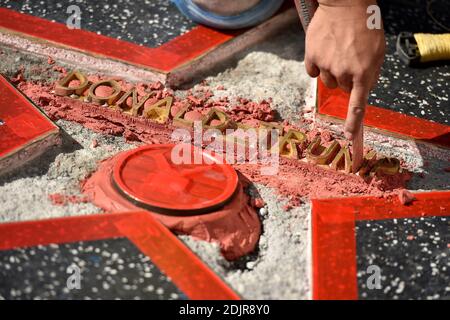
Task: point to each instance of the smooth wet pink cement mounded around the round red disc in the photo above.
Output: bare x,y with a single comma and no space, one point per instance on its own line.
235,227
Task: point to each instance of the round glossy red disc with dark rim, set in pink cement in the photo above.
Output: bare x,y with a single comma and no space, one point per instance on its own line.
148,177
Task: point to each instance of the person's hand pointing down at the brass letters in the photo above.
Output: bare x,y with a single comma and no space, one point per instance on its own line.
345,53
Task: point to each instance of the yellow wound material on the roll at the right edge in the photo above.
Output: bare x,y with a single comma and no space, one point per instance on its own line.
433,47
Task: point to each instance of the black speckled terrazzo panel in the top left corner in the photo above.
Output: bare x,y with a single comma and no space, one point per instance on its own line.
145,22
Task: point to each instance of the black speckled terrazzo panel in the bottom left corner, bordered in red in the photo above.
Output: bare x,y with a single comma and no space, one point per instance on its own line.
109,269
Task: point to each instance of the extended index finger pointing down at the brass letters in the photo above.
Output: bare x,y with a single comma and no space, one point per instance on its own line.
356,110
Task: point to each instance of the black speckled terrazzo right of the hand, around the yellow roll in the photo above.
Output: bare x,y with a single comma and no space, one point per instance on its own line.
420,92
